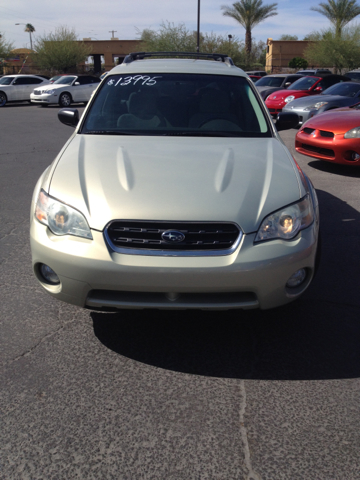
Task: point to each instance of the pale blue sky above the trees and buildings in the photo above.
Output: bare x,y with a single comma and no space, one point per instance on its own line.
102,19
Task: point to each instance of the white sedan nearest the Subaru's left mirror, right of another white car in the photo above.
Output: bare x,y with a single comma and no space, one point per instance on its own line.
66,90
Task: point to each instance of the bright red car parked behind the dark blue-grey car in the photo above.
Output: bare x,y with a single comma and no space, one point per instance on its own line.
310,85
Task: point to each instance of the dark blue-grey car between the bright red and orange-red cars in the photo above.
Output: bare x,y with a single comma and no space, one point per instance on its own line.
343,94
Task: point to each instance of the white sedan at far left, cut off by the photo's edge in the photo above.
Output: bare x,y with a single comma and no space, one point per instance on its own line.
17,88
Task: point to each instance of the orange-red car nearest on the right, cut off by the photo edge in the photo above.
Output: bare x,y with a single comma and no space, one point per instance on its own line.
333,136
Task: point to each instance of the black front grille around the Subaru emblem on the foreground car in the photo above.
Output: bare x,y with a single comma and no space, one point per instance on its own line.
144,236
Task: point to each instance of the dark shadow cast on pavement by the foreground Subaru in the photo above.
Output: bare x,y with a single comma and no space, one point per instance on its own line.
315,337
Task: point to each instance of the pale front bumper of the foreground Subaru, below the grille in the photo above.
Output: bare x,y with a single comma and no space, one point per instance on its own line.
93,276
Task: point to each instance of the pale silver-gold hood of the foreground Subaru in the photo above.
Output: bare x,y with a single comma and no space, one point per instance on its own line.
166,178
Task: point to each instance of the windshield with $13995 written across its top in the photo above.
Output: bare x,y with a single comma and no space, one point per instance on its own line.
176,104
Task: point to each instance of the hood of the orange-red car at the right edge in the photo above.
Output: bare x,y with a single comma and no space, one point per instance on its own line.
338,121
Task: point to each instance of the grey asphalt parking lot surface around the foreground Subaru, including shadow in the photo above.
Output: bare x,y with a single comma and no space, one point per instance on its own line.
140,395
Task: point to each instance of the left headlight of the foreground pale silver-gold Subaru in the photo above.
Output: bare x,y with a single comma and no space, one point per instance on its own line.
60,218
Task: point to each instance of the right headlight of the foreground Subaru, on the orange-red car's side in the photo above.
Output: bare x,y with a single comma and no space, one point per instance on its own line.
287,222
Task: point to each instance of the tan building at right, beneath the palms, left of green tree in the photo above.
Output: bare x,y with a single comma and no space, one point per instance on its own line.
280,52
